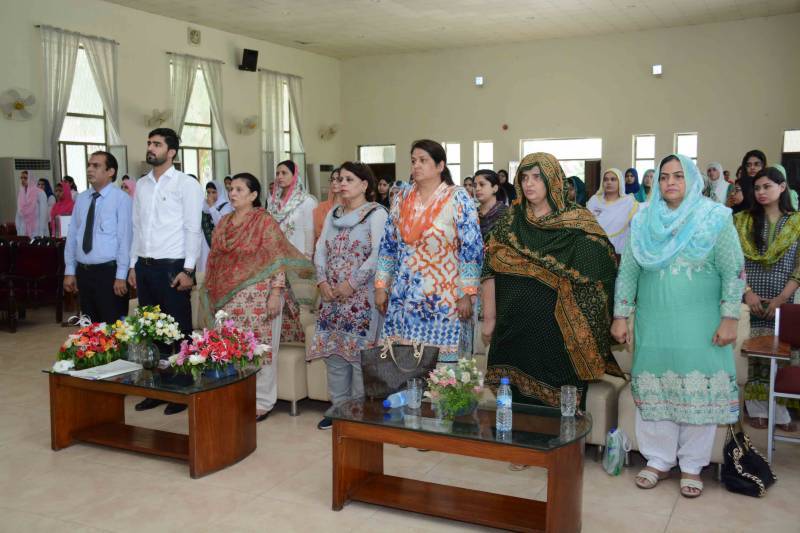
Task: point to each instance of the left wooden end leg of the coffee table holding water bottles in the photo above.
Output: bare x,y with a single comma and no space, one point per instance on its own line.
354,461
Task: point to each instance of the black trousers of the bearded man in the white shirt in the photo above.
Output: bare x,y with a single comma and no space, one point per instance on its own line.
154,287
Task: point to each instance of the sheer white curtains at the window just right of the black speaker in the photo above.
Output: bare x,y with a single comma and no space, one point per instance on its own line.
273,105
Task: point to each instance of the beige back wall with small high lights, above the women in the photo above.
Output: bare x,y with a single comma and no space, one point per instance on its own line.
734,83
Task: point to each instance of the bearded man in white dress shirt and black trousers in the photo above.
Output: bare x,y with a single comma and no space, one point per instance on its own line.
167,211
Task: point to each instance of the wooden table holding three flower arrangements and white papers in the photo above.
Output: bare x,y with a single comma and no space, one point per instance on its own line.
222,427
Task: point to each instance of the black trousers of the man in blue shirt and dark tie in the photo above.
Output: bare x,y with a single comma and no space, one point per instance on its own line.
96,292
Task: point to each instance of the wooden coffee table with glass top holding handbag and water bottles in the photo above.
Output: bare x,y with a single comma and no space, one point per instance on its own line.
540,438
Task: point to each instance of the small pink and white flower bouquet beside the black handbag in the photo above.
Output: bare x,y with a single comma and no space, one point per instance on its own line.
454,389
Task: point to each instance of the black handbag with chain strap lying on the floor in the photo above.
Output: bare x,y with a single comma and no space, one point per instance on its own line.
745,471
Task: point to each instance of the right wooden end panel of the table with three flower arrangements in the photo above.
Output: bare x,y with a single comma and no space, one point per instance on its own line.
222,426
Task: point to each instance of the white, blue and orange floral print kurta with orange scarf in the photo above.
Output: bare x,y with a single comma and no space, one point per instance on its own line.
426,279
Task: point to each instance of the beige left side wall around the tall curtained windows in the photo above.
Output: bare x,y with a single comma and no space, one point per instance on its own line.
144,80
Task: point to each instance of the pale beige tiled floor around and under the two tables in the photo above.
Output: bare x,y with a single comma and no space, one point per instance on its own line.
286,484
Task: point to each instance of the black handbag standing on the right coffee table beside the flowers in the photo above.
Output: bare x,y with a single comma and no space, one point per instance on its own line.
387,368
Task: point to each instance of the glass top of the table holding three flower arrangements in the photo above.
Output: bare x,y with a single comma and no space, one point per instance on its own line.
168,380
